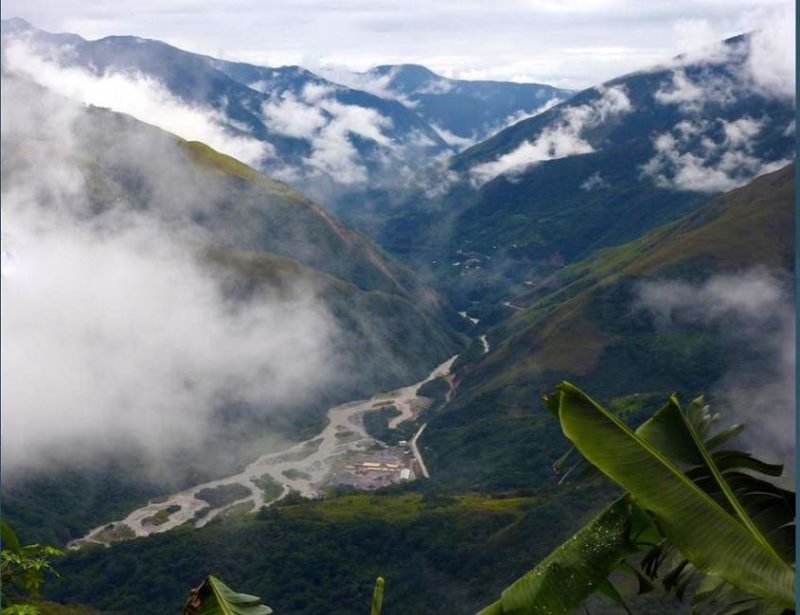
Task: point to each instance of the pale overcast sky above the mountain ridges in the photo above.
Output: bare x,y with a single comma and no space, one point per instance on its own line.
569,43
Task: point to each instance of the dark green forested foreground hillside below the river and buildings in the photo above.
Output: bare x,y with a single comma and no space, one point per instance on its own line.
306,557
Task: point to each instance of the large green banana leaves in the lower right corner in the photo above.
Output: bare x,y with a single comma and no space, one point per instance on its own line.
728,534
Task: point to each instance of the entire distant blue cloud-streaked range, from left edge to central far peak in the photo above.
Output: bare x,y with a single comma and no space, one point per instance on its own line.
326,138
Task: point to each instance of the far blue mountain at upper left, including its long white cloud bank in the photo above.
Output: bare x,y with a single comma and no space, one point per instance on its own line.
286,121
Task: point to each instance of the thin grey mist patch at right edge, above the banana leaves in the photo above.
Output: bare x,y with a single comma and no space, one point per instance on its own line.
755,311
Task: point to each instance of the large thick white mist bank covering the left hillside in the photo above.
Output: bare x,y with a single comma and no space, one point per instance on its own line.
115,331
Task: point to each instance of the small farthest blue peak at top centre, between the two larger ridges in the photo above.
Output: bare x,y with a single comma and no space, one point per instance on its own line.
463,112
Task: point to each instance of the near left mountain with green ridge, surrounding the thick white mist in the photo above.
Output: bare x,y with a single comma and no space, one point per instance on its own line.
259,239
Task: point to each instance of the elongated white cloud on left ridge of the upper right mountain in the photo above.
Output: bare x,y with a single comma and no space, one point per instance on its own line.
561,138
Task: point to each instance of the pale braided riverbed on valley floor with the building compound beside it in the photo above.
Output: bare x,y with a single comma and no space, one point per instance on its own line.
343,454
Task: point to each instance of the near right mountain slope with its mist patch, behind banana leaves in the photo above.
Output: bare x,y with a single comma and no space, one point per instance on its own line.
661,313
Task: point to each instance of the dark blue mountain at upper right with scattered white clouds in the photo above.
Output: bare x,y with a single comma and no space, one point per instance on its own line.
599,169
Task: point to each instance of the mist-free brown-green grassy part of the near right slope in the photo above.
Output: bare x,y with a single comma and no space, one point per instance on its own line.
495,432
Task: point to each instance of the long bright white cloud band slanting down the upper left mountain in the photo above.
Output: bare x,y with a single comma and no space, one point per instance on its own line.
137,95
